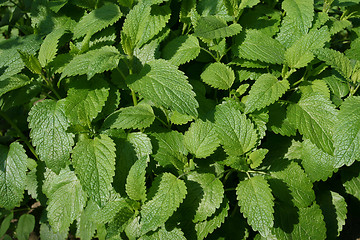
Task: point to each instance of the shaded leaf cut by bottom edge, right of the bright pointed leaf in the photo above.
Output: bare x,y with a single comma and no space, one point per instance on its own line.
310,225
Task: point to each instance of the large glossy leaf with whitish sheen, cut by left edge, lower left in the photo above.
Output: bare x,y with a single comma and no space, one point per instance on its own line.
12,175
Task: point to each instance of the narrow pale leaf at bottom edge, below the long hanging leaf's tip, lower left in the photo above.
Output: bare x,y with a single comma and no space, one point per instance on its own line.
85,225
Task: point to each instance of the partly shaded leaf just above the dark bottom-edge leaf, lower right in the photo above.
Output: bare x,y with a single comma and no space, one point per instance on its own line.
297,182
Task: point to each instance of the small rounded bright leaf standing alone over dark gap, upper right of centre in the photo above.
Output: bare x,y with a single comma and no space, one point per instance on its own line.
218,75
